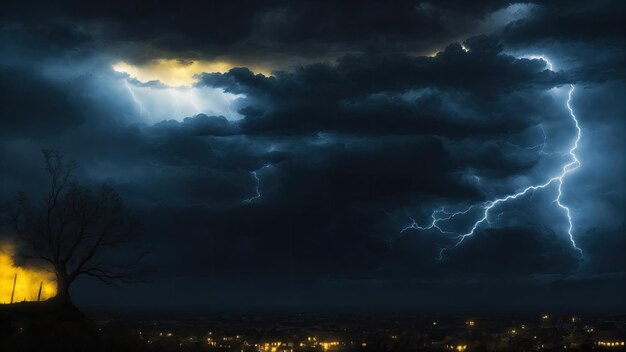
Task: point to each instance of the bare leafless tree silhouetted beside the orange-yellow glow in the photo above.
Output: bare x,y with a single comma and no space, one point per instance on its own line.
75,231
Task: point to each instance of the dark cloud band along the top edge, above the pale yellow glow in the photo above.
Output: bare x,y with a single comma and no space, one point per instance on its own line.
281,31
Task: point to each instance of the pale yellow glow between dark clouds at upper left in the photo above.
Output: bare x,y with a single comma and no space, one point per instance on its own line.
174,73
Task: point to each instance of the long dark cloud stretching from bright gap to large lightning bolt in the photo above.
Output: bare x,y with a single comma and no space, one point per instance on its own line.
482,70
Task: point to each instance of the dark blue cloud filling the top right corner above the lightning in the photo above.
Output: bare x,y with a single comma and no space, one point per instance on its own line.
588,37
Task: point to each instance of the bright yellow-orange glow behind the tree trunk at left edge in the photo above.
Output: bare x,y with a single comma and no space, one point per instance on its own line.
28,280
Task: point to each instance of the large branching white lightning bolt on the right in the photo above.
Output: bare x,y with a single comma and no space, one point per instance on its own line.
440,216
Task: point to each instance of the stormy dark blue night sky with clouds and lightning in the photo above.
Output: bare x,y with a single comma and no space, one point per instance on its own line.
290,154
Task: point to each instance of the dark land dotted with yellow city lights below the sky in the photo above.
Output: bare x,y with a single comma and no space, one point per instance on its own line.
46,327
